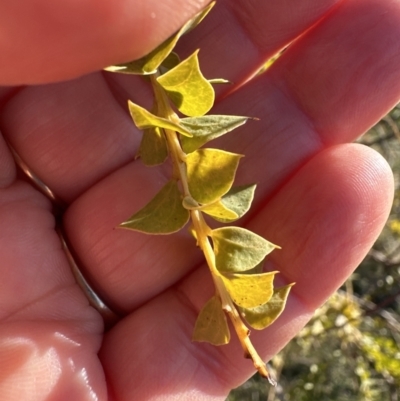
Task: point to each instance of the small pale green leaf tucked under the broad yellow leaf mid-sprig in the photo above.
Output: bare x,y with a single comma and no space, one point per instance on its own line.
238,200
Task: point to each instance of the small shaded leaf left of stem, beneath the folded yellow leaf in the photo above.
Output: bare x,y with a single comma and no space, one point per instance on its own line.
153,147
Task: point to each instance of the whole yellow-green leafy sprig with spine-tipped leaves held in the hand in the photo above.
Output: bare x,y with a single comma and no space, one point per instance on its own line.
202,184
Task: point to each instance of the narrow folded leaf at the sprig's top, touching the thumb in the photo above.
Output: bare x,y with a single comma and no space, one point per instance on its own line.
150,63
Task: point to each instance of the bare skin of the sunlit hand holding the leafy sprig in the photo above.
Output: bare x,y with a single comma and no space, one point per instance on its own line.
321,198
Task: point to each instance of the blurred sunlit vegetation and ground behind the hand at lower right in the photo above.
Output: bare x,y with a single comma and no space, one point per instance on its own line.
351,348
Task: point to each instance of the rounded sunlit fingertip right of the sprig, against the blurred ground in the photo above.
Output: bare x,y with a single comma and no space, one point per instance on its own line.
330,214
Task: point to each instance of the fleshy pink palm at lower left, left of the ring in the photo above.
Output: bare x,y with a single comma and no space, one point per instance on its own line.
49,335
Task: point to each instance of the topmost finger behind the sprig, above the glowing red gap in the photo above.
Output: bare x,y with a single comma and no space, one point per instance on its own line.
258,29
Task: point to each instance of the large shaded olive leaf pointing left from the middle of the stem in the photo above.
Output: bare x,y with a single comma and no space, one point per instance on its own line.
164,214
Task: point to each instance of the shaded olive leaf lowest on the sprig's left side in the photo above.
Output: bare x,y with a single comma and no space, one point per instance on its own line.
211,325
